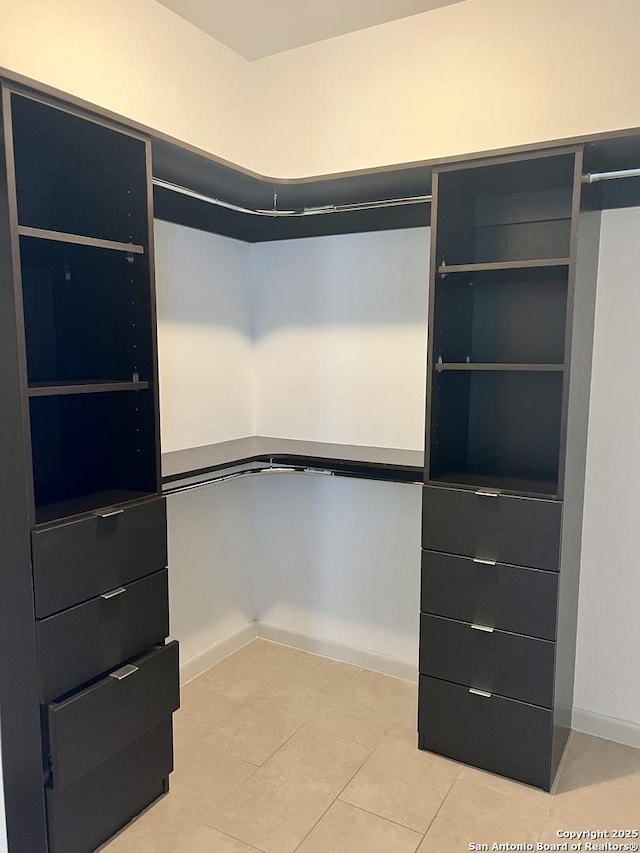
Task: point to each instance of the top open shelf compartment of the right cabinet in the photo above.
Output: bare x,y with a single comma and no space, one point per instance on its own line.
508,212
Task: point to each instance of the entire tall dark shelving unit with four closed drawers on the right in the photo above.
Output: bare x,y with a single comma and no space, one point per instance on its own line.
510,332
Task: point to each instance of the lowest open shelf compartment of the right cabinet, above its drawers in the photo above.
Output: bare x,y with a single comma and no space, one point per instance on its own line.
496,430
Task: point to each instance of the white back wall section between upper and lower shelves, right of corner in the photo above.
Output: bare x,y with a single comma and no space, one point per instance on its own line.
340,337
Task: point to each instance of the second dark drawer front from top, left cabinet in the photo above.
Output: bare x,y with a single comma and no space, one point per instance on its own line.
85,641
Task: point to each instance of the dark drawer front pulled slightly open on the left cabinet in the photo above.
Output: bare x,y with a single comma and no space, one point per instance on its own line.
91,726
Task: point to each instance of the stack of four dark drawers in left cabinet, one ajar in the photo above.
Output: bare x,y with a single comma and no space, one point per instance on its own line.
108,683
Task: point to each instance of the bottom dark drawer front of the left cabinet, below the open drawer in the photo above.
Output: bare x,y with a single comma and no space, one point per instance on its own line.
89,811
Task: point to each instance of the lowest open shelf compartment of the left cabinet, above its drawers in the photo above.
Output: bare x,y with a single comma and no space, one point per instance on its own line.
91,450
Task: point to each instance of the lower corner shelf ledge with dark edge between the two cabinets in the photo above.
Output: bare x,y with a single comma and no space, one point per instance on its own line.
381,463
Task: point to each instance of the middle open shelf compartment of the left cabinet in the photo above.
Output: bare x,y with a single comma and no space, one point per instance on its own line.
87,314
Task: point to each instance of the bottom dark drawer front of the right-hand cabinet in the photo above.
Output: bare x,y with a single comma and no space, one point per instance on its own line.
500,735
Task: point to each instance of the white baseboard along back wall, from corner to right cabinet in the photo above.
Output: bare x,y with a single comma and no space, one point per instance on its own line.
364,658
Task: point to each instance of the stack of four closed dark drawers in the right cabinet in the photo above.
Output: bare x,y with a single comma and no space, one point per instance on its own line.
487,630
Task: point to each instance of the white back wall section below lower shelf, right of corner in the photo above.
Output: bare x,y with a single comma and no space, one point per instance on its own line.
339,559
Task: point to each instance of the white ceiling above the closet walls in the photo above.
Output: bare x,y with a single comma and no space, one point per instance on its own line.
258,28
